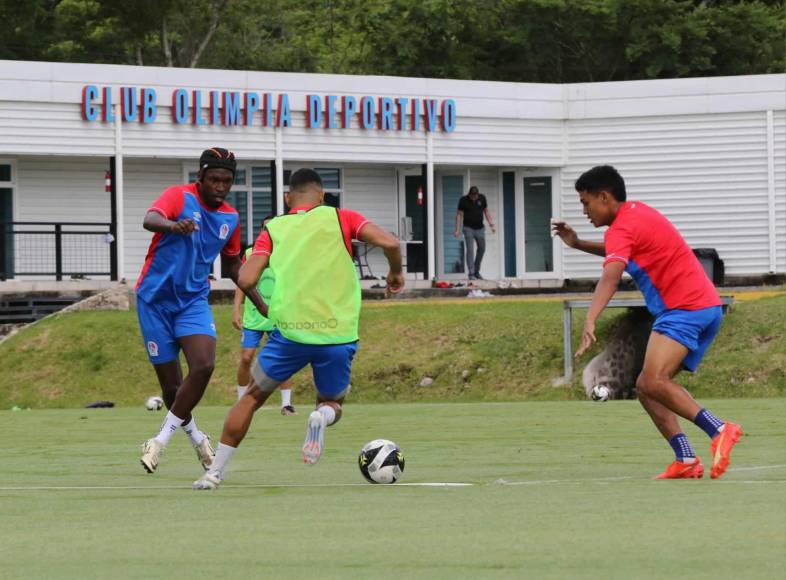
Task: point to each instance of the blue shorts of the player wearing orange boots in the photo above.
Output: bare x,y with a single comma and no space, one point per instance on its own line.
693,329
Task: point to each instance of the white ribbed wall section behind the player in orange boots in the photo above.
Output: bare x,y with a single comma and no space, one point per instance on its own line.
706,173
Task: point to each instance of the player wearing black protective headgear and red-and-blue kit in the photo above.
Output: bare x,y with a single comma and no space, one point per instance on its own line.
192,224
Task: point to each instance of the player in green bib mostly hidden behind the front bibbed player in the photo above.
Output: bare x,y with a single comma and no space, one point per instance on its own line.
254,326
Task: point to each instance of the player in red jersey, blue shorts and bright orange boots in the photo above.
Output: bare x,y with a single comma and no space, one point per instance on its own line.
684,302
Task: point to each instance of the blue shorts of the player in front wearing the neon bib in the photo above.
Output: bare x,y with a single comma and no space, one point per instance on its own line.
331,364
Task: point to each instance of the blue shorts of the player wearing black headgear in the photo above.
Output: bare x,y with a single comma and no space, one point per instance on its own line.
161,327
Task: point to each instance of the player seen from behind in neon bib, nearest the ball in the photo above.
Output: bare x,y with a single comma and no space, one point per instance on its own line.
315,307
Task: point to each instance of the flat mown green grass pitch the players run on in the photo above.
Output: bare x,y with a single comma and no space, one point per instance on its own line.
559,490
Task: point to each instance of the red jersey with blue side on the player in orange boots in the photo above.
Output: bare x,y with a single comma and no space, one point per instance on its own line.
665,269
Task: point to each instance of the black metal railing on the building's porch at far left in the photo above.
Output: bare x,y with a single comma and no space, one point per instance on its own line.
58,249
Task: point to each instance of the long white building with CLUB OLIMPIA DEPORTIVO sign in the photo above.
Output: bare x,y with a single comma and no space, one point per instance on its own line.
710,153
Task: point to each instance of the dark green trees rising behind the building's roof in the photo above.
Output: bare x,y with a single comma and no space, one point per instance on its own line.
508,40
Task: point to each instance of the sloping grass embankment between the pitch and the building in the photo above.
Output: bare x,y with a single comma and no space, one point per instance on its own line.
512,350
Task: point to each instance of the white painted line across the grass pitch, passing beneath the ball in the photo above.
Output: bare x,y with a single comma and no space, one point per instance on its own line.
416,484
